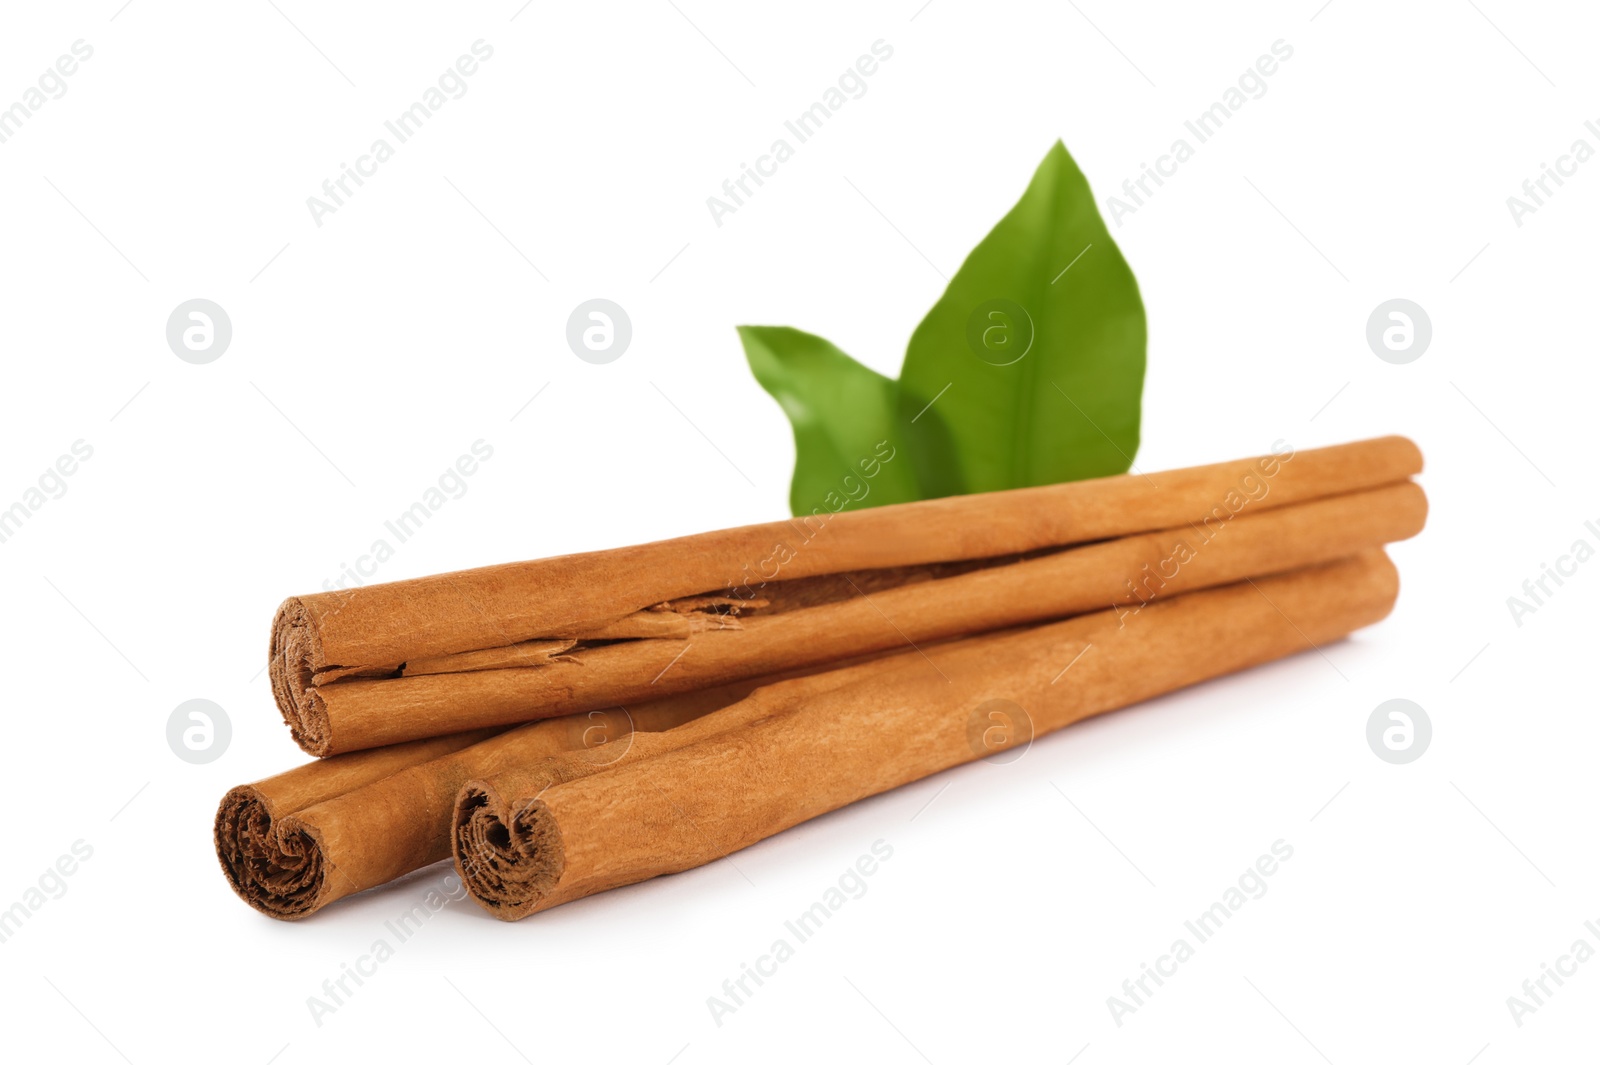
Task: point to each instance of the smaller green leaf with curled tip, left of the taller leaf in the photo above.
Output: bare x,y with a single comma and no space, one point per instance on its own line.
849,449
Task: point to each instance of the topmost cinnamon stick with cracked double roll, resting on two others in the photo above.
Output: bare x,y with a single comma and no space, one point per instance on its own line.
402,661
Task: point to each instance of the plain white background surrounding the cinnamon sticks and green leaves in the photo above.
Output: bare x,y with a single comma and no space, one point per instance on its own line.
425,316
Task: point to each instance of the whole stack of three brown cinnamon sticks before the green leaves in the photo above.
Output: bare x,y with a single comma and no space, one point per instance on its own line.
570,725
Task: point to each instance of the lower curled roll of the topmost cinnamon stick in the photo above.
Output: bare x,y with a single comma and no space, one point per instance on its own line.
806,623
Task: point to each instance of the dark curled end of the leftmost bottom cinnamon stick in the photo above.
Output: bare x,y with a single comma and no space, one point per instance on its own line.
278,868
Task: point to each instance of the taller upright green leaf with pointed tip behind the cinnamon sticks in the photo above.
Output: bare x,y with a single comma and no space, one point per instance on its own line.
1049,295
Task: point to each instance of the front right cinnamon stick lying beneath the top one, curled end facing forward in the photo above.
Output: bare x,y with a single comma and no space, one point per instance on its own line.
772,762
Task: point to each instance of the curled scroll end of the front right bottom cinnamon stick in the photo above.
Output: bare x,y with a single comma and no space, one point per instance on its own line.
510,860
